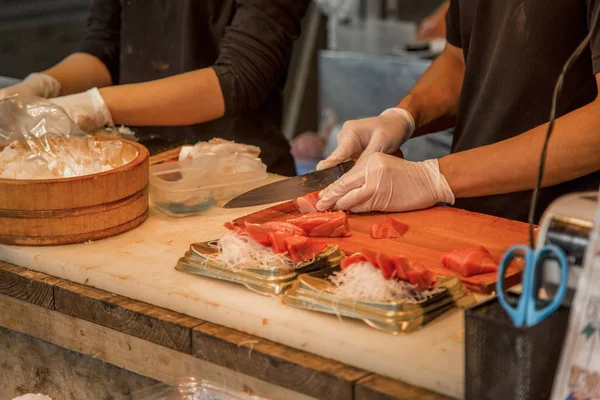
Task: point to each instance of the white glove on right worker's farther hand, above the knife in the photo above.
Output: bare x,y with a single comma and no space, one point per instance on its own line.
385,133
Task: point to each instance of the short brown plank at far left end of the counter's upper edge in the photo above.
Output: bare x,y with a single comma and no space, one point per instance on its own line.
27,285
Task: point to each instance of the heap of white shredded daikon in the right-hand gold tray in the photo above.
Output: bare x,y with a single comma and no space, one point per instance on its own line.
363,281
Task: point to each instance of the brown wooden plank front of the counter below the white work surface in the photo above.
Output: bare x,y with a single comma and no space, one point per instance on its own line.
73,341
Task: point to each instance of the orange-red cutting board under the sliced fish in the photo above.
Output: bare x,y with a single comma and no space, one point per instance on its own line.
432,233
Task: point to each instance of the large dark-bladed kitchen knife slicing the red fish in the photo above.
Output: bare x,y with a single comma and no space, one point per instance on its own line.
290,188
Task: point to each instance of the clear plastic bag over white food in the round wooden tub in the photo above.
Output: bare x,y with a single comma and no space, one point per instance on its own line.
39,141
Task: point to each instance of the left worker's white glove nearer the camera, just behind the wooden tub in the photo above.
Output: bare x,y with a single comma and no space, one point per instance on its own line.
86,109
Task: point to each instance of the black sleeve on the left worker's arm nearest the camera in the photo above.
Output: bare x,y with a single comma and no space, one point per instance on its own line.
255,50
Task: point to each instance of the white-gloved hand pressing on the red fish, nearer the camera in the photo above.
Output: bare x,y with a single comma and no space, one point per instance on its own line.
380,182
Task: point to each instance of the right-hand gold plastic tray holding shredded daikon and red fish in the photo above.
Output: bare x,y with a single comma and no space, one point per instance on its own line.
315,292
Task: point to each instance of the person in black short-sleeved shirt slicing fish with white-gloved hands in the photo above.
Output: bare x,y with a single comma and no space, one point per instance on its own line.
493,82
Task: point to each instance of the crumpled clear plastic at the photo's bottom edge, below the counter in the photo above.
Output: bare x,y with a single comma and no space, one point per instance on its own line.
191,389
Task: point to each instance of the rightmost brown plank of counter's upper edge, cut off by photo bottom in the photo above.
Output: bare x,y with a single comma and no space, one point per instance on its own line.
376,387
